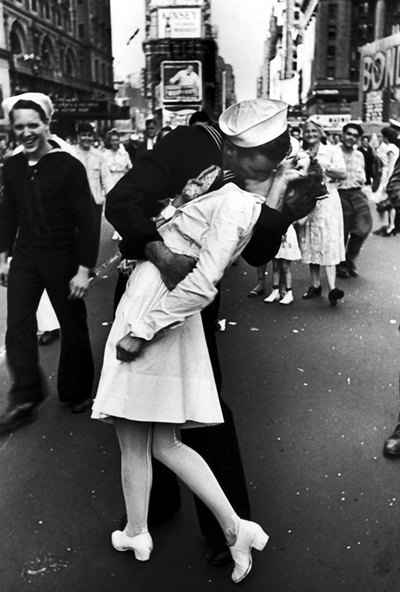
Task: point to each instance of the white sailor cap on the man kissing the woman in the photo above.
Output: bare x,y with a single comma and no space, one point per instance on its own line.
251,123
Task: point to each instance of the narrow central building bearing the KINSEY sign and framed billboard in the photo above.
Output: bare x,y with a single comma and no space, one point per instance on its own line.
183,72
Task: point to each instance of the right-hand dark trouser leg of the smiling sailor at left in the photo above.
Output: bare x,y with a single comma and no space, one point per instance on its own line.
76,368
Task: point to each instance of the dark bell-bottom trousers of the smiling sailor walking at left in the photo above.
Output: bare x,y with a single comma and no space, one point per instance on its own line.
30,273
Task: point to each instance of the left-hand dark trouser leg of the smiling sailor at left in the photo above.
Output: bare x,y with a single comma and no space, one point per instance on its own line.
23,294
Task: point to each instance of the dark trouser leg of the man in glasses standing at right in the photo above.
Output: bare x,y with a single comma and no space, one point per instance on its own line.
360,228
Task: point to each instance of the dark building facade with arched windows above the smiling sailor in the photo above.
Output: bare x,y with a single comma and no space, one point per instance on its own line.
62,48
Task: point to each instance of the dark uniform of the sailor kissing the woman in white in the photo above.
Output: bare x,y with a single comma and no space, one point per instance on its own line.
130,207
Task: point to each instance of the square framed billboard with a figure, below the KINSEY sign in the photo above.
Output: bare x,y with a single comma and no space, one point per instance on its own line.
181,81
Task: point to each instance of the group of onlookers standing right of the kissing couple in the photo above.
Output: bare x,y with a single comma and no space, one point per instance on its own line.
360,170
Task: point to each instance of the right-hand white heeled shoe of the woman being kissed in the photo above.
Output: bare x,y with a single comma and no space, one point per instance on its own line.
250,536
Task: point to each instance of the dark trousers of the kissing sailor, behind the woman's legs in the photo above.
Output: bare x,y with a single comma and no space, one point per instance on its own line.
218,445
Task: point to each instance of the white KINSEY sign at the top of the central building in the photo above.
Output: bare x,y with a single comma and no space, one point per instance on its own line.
179,22
